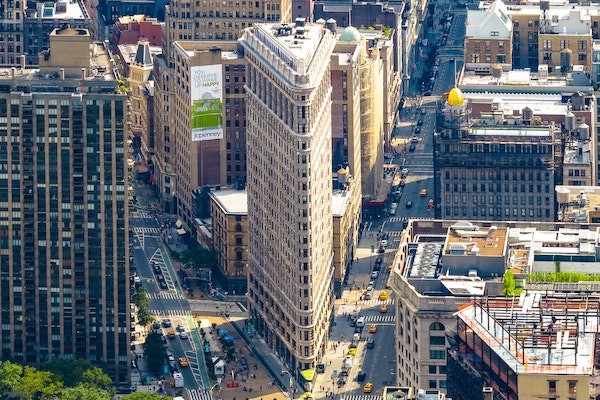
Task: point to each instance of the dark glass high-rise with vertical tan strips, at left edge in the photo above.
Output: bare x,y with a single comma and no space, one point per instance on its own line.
64,217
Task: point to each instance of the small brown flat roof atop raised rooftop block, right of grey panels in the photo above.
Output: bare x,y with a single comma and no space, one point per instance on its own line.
465,238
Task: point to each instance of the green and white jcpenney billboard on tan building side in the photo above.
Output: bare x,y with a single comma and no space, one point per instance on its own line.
207,102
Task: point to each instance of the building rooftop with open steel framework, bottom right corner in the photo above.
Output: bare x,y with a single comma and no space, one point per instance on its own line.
538,333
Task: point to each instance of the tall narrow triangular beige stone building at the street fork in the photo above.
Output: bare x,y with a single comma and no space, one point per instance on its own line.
290,282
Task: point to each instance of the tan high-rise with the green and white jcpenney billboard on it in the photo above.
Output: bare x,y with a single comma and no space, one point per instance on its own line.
211,147
